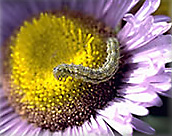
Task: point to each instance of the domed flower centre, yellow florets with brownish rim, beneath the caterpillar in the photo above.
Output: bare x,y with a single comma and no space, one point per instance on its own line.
43,43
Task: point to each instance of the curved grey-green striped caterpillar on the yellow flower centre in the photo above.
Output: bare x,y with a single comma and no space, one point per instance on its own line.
88,74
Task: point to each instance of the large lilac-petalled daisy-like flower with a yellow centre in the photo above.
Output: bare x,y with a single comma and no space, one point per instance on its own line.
37,103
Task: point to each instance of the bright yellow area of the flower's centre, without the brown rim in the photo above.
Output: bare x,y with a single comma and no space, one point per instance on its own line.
41,45
